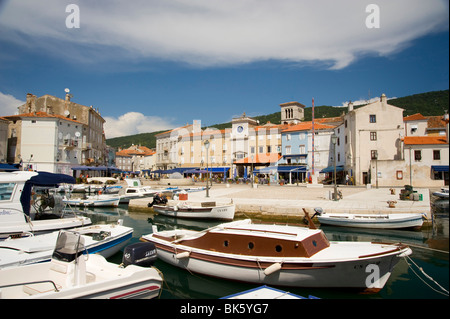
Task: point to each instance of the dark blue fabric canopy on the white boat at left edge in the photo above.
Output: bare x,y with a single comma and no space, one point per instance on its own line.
43,179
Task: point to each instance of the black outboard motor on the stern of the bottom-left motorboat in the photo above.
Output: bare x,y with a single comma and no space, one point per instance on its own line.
140,254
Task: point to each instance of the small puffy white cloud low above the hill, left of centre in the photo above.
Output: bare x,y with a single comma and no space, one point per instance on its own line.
134,123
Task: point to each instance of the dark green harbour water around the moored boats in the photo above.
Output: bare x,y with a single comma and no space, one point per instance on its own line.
430,251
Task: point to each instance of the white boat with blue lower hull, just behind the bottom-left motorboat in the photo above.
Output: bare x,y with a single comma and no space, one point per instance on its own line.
105,240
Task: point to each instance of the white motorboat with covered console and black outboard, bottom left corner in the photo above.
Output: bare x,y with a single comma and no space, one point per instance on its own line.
70,274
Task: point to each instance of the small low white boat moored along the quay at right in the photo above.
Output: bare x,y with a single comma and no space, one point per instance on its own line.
373,221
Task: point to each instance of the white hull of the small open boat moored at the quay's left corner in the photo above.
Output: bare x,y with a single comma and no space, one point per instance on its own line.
225,212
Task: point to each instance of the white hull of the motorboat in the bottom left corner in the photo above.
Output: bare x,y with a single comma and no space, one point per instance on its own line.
107,281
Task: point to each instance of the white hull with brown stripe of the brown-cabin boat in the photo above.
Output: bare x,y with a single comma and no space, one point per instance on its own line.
290,272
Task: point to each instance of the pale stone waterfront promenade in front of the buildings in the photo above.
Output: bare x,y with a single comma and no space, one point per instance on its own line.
288,201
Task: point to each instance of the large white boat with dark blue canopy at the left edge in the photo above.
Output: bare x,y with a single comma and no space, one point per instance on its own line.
23,212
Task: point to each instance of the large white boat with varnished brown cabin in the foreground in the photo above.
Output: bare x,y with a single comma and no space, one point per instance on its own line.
278,255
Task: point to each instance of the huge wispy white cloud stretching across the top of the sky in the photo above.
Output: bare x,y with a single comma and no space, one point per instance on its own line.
217,32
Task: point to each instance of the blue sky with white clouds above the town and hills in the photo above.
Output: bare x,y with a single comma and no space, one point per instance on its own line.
151,65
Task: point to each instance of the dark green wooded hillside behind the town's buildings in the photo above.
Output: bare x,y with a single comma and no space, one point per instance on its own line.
430,103
